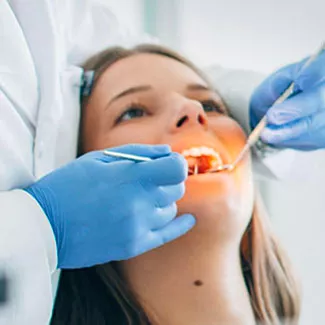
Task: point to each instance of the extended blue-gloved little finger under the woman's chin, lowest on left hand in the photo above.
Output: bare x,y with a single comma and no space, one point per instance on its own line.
178,227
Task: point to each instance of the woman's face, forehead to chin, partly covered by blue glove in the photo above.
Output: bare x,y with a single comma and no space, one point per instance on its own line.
153,99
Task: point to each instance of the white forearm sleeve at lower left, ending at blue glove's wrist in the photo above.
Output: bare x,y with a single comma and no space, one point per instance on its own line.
28,257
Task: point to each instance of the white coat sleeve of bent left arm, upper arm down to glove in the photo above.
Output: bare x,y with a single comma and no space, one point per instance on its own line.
27,244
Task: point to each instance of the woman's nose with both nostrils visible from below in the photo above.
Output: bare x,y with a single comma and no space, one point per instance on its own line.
191,113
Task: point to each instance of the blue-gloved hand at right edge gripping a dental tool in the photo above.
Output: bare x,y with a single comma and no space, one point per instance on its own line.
299,122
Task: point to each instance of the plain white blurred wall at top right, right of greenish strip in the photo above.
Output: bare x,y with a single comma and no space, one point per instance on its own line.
253,34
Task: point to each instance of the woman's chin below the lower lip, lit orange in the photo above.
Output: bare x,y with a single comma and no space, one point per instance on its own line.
221,202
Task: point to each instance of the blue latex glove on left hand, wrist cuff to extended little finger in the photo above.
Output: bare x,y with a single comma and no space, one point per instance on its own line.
103,208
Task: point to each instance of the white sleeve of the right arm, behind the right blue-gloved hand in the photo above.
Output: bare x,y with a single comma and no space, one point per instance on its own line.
236,88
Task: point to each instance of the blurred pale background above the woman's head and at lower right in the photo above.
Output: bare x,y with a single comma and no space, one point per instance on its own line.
260,36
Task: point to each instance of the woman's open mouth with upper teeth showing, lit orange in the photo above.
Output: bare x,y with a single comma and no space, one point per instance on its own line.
201,159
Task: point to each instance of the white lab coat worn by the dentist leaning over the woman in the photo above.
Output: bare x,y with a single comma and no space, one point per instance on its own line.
42,42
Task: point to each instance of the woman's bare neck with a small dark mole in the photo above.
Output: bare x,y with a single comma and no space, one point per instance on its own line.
204,286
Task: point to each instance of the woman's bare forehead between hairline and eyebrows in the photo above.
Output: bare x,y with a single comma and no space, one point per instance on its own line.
156,70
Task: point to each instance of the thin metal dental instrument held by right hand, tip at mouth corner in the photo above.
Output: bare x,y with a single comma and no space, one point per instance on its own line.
254,136
